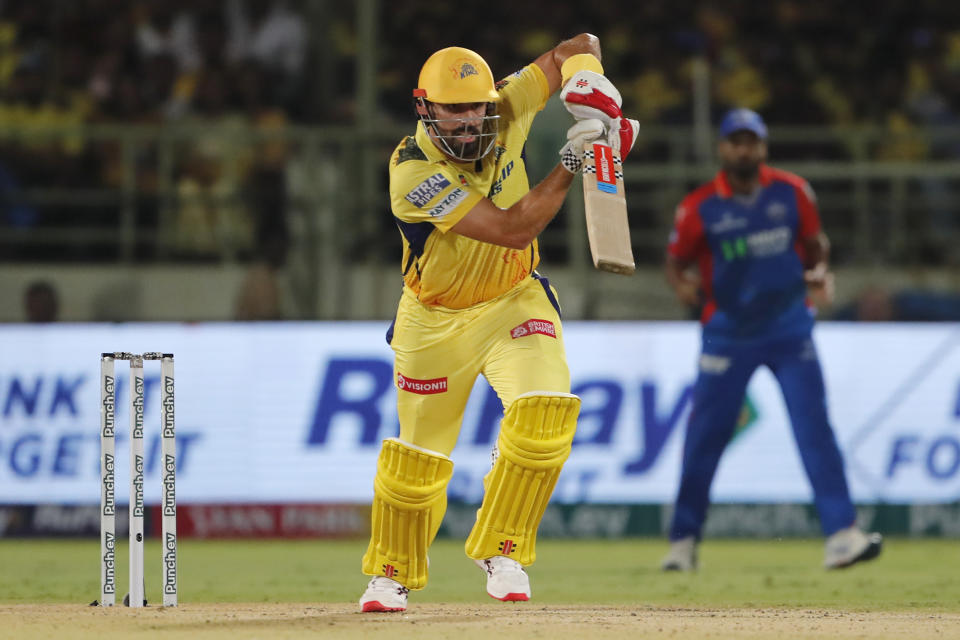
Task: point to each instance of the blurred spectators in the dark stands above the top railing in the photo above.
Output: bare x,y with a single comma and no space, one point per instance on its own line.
796,61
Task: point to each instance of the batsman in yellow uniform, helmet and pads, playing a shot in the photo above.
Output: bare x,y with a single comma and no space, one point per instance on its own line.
473,304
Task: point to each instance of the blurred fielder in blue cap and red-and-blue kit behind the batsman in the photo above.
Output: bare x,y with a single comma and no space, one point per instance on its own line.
753,234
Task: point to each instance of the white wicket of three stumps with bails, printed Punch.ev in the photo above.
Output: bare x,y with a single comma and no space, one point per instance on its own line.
168,465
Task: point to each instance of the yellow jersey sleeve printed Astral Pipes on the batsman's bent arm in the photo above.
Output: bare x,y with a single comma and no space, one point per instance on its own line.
422,191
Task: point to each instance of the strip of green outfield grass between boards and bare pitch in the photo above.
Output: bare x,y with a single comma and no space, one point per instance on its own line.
917,575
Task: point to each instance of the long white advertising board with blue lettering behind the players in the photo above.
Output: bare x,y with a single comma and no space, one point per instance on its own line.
295,413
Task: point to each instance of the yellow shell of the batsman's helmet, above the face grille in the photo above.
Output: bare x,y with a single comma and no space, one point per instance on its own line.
456,75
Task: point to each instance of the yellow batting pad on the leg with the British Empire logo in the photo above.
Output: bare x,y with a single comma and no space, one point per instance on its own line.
535,439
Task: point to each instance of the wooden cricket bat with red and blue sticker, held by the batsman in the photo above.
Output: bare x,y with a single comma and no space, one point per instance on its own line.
605,206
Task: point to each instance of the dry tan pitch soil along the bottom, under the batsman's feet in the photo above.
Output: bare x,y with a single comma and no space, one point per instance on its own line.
463,622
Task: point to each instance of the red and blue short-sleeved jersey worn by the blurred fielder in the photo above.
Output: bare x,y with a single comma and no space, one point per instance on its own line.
750,253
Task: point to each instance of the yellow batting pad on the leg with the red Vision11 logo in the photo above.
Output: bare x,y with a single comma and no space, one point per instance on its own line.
409,499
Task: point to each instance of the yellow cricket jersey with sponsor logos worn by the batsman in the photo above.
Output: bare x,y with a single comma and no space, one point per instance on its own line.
430,193
